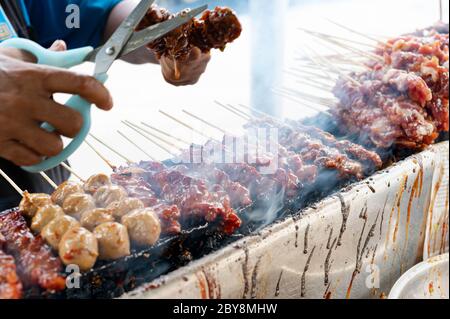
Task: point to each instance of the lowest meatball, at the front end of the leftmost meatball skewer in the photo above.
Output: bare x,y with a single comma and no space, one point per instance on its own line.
79,247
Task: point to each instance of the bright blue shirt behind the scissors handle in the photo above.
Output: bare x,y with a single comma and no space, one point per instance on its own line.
48,19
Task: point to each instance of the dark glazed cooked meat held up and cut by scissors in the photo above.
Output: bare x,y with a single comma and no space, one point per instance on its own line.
214,30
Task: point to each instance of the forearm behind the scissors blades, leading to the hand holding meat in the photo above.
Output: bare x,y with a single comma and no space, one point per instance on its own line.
118,14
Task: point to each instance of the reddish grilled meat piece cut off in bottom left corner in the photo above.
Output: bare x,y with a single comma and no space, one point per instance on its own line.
10,285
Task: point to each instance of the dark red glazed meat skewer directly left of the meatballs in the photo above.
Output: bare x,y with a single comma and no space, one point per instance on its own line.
35,263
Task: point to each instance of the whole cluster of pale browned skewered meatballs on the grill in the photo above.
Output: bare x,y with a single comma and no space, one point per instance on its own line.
81,236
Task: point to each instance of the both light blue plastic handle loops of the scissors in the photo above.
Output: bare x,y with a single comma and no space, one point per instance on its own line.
64,59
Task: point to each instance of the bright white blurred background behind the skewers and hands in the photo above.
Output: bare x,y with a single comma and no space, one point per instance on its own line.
245,73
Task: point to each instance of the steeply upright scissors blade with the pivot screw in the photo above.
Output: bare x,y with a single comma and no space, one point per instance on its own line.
109,52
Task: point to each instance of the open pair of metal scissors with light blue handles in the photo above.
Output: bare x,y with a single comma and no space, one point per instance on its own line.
124,41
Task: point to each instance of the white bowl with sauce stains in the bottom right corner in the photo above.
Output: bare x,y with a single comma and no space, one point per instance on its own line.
427,280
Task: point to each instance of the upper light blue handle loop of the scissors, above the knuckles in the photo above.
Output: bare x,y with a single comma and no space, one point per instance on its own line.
62,59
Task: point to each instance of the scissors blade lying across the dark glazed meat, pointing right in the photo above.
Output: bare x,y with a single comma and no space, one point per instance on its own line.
152,33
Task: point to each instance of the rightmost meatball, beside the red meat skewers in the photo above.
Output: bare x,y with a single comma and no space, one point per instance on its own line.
143,226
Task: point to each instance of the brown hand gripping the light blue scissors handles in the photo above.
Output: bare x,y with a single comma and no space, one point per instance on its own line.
26,92
